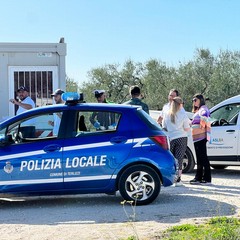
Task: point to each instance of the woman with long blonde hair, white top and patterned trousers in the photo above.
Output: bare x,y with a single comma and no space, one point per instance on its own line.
177,125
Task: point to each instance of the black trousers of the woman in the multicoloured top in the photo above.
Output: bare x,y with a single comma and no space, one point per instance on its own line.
203,165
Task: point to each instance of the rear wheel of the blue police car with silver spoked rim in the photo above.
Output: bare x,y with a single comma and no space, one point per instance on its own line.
140,184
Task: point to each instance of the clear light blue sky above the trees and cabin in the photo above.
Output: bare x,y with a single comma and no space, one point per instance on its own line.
100,32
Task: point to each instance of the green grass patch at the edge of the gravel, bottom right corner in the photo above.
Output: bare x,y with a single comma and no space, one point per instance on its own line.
219,228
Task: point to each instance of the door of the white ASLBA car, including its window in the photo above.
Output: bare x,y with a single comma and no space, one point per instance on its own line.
224,144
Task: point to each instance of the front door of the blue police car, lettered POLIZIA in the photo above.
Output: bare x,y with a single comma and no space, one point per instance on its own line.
32,158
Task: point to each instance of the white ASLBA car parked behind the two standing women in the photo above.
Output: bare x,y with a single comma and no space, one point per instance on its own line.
224,147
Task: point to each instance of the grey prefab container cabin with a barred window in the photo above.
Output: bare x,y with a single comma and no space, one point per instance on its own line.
38,66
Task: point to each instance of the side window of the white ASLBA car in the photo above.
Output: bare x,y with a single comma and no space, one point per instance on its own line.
226,115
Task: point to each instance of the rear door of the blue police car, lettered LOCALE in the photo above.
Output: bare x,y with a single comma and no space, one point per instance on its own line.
92,155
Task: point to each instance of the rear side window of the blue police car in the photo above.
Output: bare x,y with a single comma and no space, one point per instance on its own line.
89,122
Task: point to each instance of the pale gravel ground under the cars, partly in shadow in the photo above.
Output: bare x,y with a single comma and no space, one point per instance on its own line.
103,217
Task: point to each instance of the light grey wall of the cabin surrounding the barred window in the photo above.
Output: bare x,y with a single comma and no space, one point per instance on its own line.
27,55
